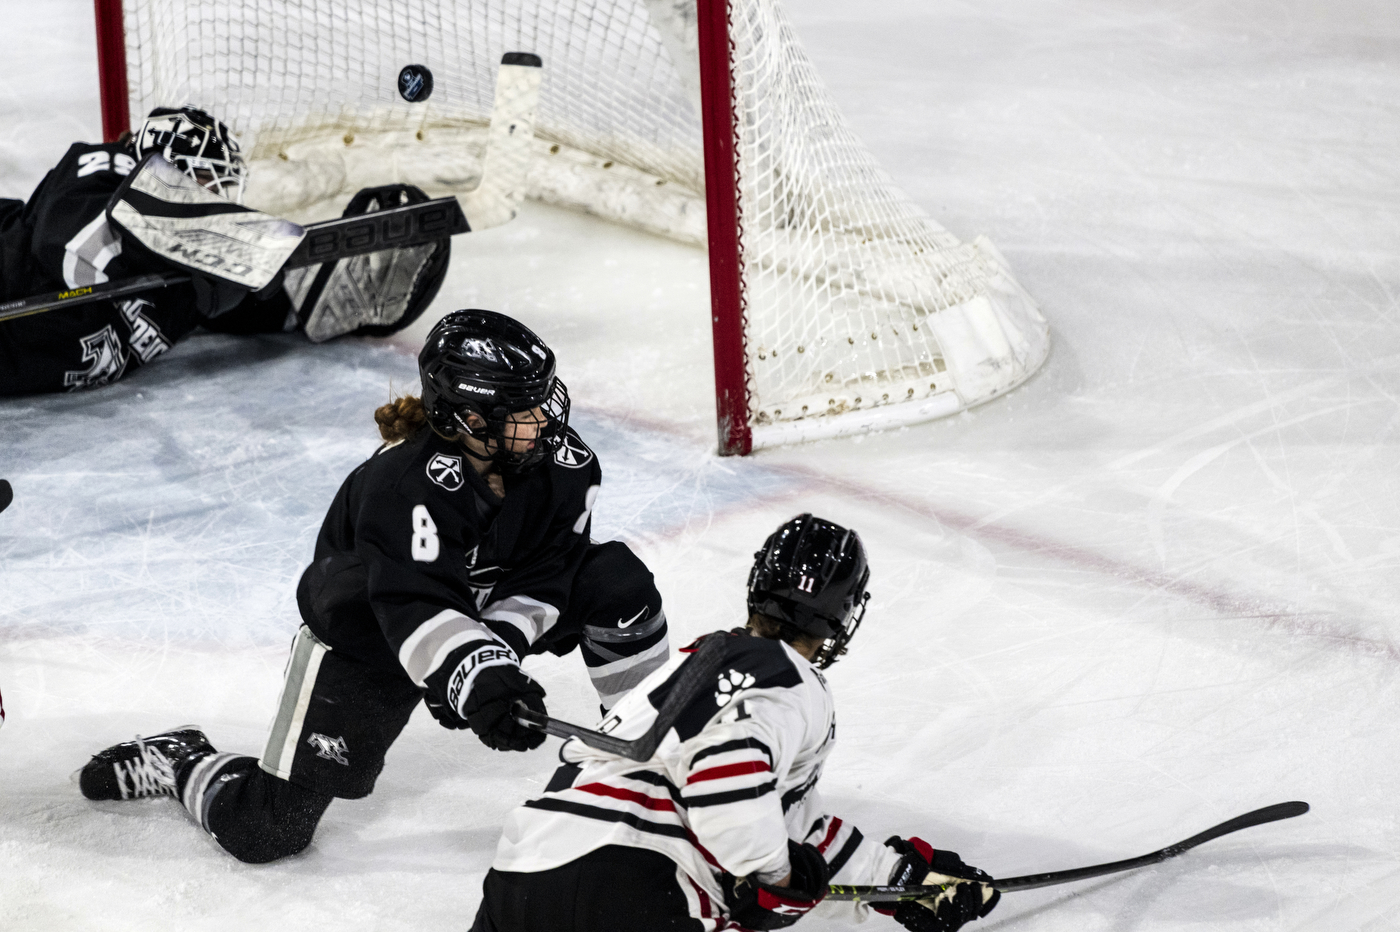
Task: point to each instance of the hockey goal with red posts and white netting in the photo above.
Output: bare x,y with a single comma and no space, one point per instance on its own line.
839,307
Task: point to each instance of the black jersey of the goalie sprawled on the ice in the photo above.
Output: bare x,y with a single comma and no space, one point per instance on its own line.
61,240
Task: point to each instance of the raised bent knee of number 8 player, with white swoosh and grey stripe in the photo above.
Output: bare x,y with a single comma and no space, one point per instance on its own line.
617,611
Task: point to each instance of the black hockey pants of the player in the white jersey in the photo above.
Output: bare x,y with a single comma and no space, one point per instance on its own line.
614,889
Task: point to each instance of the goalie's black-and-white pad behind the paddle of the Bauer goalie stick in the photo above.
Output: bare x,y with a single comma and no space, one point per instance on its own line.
374,295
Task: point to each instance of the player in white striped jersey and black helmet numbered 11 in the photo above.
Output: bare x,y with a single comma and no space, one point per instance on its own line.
723,828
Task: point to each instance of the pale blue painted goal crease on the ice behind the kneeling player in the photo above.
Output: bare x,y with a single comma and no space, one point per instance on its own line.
184,502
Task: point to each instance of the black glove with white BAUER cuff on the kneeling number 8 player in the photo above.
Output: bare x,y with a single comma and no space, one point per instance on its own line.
477,688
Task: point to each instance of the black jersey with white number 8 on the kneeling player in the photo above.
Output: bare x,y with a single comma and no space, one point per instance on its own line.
418,556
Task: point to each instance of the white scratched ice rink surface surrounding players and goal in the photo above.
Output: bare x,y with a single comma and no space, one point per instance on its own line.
1150,590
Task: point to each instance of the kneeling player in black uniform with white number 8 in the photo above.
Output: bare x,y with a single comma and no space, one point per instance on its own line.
456,551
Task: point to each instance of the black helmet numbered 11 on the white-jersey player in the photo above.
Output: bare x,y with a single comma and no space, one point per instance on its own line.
811,576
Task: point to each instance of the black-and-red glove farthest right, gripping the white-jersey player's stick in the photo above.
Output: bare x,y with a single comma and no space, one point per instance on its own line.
965,898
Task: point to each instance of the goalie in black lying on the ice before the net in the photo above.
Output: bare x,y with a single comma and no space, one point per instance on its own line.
68,236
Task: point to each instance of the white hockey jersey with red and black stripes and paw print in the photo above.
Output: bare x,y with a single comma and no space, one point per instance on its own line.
733,780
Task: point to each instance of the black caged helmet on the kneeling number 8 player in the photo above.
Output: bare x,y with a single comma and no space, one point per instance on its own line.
488,365
